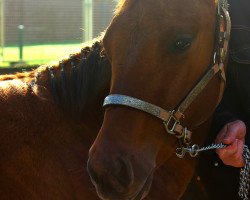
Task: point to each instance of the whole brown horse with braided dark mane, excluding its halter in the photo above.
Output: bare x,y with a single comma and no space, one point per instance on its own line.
51,116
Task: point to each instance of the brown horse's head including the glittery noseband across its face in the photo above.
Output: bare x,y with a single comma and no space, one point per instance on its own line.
158,50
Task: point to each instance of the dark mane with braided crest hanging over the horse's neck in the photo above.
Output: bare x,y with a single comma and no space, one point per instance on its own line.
79,83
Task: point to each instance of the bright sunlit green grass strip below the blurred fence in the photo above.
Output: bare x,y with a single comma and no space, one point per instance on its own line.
38,54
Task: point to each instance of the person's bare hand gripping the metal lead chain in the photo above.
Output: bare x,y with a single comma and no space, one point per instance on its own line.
233,135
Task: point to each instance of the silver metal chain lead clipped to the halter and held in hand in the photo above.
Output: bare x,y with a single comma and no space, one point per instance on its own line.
244,184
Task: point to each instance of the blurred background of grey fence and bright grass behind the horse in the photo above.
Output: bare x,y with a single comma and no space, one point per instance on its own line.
34,32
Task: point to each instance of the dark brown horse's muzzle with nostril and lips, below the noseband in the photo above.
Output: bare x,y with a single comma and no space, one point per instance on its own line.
115,178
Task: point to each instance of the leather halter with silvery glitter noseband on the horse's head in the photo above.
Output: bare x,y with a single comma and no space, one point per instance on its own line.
171,119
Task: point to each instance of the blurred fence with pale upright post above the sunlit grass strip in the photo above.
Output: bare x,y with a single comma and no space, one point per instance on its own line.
52,21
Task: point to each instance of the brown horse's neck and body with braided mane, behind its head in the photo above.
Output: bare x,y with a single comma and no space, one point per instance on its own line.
49,119
